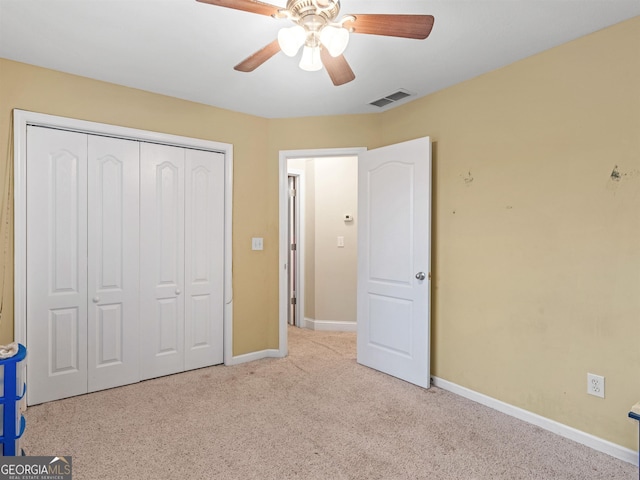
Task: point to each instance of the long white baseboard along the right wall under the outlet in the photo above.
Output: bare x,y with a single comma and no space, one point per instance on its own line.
599,444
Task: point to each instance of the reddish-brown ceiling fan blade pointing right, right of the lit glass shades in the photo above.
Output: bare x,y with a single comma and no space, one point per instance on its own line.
406,26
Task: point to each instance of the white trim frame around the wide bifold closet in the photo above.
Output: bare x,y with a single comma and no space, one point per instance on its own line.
23,118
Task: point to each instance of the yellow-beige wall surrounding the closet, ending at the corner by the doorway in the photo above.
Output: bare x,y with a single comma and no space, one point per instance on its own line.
46,91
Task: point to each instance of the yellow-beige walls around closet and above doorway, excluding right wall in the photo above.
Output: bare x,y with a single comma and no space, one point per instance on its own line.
256,143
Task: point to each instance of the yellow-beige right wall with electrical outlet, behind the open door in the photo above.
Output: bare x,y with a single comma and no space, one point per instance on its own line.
536,251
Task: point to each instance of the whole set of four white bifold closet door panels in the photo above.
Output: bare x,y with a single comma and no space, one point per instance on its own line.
125,261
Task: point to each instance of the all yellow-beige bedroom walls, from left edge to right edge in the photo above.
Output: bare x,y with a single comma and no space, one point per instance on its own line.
536,252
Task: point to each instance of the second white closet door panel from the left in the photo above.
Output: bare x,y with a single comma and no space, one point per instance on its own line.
113,233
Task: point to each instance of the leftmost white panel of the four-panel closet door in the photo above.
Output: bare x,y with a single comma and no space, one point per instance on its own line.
56,264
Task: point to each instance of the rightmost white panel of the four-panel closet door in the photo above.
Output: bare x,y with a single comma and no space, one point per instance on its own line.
204,258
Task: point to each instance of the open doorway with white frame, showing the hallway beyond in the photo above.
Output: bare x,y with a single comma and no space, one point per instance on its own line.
318,276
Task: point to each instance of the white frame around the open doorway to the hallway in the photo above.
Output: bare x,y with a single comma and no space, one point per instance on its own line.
285,156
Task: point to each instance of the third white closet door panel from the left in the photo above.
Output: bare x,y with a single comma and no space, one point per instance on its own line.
161,260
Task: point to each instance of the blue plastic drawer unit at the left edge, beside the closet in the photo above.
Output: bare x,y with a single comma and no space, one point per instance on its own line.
13,390
